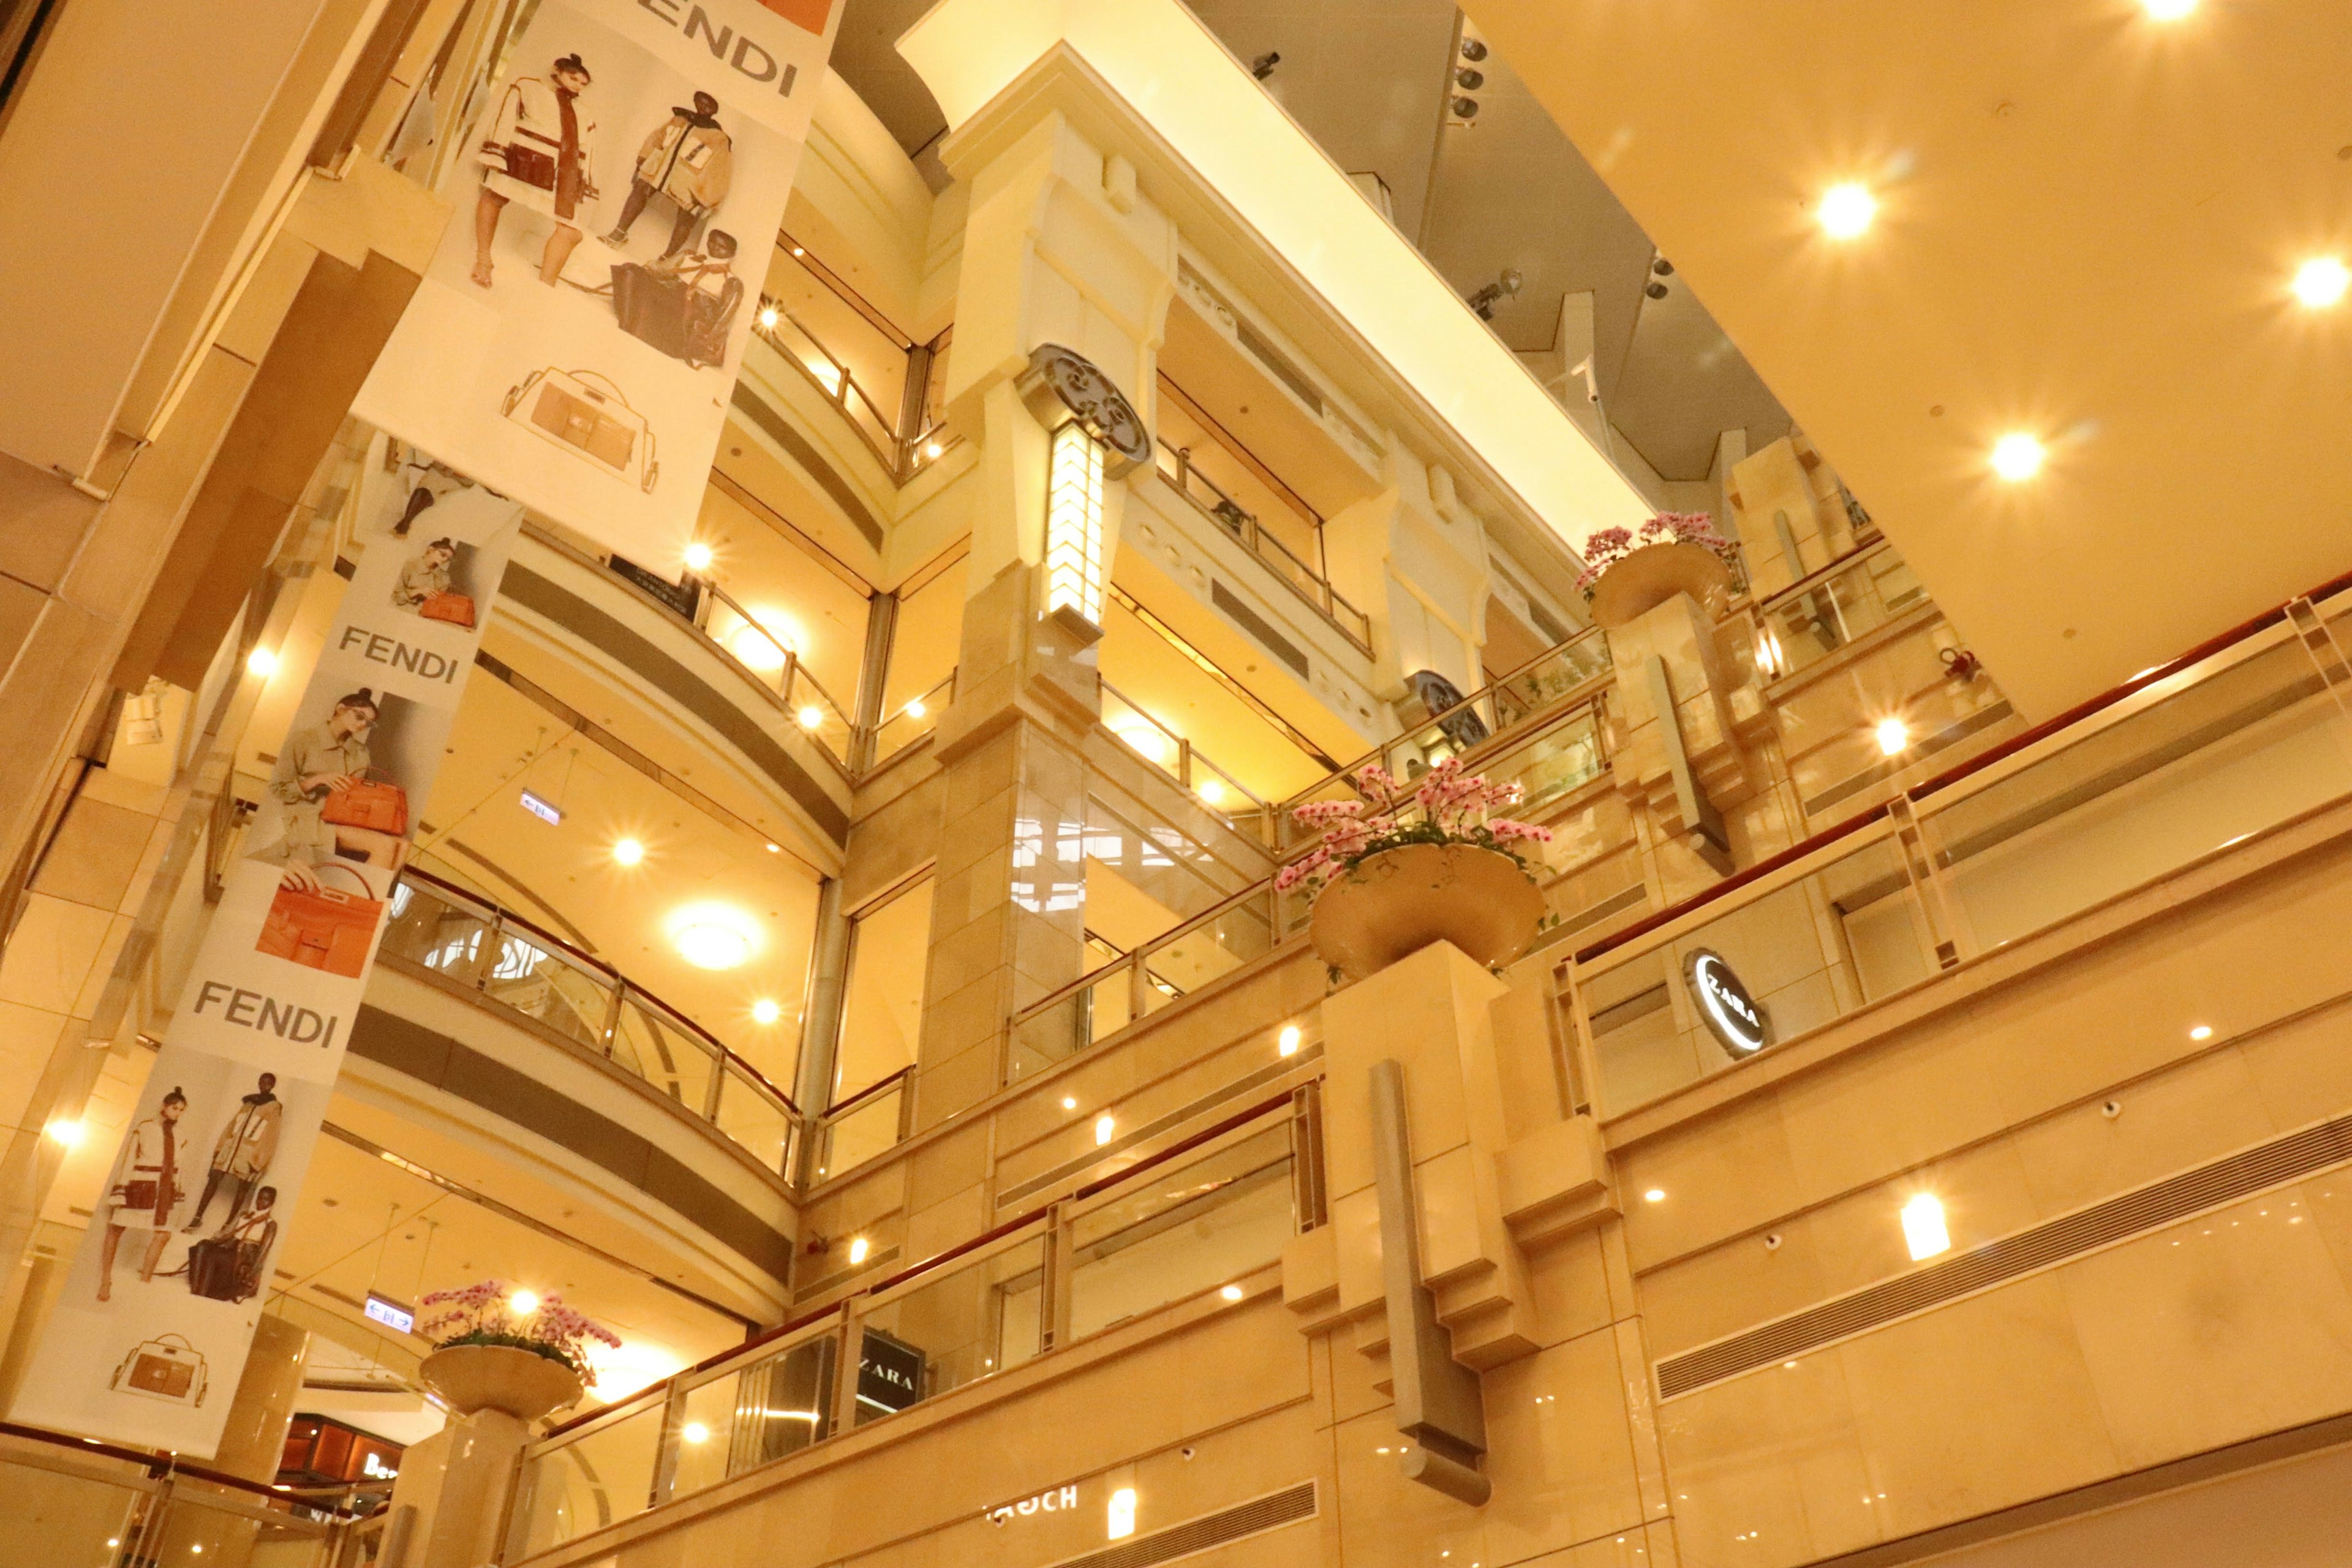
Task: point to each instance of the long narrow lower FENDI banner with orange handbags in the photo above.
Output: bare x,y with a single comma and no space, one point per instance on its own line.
159,1311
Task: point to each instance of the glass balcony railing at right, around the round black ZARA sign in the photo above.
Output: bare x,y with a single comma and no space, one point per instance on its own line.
2193,758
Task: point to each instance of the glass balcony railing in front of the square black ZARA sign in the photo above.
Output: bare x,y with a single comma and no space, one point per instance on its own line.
1013,1294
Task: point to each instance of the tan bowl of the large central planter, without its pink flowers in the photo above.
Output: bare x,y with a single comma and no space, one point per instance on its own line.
1398,902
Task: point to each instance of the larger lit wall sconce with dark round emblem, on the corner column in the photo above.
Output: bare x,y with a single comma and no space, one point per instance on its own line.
1097,438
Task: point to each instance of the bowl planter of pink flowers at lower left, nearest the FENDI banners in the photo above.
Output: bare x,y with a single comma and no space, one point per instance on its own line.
509,1351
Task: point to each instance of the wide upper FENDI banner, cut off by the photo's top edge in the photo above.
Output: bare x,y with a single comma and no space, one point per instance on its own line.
580,330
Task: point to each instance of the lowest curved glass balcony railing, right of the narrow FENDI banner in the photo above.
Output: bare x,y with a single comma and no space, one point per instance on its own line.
533,972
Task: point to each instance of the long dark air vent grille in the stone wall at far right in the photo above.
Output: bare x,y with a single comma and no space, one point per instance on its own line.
2167,1202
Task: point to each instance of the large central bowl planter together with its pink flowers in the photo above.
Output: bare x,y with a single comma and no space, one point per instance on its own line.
1387,887
